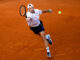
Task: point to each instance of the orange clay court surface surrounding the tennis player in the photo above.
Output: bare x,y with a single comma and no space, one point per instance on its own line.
18,42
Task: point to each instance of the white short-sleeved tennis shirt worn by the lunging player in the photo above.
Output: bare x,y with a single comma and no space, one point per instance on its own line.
35,18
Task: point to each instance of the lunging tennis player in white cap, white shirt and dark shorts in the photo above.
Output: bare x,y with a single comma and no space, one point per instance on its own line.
36,25
